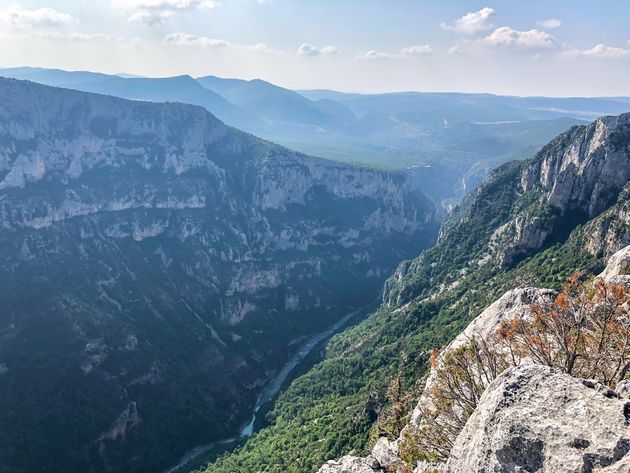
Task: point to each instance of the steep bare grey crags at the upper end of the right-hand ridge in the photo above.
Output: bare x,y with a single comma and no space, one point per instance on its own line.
578,175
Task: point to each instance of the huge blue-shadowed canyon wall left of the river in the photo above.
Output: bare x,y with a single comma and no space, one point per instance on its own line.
154,257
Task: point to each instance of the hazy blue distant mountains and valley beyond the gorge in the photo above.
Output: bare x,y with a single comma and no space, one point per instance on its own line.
452,140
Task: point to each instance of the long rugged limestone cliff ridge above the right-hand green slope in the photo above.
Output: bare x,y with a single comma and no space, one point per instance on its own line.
581,177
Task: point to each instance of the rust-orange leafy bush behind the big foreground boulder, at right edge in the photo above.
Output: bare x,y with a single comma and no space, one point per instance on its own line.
585,331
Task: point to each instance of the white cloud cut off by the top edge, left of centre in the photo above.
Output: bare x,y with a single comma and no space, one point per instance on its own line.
157,12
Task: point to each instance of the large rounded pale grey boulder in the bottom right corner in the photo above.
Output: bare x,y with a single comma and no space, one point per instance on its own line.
534,418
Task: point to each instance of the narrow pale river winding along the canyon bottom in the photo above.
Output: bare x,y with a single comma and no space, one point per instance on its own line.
268,394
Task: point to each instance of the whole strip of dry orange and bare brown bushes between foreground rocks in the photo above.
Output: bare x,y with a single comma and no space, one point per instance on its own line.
584,331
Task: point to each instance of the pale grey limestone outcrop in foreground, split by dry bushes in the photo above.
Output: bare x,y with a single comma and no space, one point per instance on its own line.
531,418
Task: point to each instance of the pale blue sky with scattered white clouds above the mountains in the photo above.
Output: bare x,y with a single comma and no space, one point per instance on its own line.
515,47
